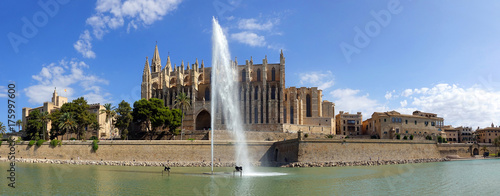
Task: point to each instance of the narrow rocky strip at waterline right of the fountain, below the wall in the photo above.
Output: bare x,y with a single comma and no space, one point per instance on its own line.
361,163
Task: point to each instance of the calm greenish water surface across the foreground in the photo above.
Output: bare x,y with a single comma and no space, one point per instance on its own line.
478,177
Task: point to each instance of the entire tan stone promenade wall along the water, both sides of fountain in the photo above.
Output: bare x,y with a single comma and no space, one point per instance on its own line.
261,152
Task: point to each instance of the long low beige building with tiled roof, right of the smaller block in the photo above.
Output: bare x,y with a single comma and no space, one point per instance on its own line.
386,125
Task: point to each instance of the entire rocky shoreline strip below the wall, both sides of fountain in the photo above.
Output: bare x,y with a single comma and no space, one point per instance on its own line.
224,164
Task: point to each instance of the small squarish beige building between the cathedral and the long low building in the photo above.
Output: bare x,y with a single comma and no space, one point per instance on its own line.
348,124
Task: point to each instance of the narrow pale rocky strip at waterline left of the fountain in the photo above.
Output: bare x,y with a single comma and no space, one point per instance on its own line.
126,163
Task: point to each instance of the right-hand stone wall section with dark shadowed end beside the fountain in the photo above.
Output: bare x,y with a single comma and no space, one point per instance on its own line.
332,150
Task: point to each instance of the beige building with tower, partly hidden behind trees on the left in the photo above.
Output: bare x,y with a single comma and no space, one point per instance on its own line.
106,131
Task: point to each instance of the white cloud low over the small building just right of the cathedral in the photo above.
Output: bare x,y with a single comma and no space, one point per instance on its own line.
350,100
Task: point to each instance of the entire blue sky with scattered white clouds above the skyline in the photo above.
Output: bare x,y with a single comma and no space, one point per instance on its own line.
435,56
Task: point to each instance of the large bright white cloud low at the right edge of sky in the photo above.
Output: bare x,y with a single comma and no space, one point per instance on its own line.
458,106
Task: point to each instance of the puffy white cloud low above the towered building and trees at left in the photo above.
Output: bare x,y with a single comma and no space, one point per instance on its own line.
69,75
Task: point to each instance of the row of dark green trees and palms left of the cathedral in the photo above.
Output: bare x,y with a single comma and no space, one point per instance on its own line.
75,118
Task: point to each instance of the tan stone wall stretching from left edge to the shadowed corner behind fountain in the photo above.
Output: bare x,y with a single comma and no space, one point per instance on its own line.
173,151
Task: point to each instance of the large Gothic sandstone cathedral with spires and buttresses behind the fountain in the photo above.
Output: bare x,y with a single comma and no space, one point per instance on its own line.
266,103
